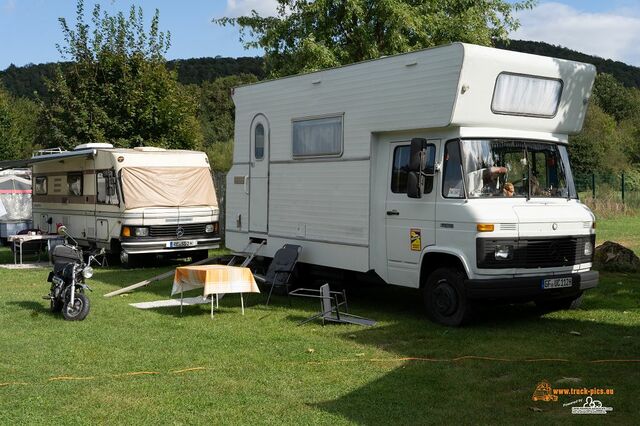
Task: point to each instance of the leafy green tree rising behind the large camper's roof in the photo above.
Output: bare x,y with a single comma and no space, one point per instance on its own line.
307,35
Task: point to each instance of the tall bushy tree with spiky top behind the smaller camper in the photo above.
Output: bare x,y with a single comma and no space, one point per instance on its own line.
117,88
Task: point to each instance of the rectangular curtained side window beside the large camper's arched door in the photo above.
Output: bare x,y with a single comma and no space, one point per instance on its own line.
317,137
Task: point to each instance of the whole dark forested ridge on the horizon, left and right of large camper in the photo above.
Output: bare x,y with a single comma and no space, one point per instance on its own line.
23,81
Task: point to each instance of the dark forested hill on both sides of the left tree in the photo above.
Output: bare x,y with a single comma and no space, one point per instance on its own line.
24,81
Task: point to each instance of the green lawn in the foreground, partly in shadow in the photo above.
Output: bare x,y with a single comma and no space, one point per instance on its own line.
263,368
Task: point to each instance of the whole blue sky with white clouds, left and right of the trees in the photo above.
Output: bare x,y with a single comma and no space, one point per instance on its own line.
29,29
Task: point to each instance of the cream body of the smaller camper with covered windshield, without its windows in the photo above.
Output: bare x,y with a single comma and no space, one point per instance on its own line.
95,223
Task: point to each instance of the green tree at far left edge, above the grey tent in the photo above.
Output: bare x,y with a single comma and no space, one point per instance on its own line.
18,120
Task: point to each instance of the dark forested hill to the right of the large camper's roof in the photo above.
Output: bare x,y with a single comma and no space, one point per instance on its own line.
626,74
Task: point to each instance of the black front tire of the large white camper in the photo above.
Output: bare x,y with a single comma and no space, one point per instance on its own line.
445,299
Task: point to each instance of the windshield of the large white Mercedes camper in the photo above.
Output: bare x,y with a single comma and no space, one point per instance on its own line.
516,168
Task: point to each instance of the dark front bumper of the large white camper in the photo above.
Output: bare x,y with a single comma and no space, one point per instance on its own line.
529,288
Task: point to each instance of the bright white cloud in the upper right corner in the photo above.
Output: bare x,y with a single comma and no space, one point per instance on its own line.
614,34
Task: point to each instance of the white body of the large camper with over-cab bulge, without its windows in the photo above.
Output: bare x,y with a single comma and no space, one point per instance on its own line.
337,207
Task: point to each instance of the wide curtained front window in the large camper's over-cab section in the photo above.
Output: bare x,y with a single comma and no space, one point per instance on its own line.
517,94
